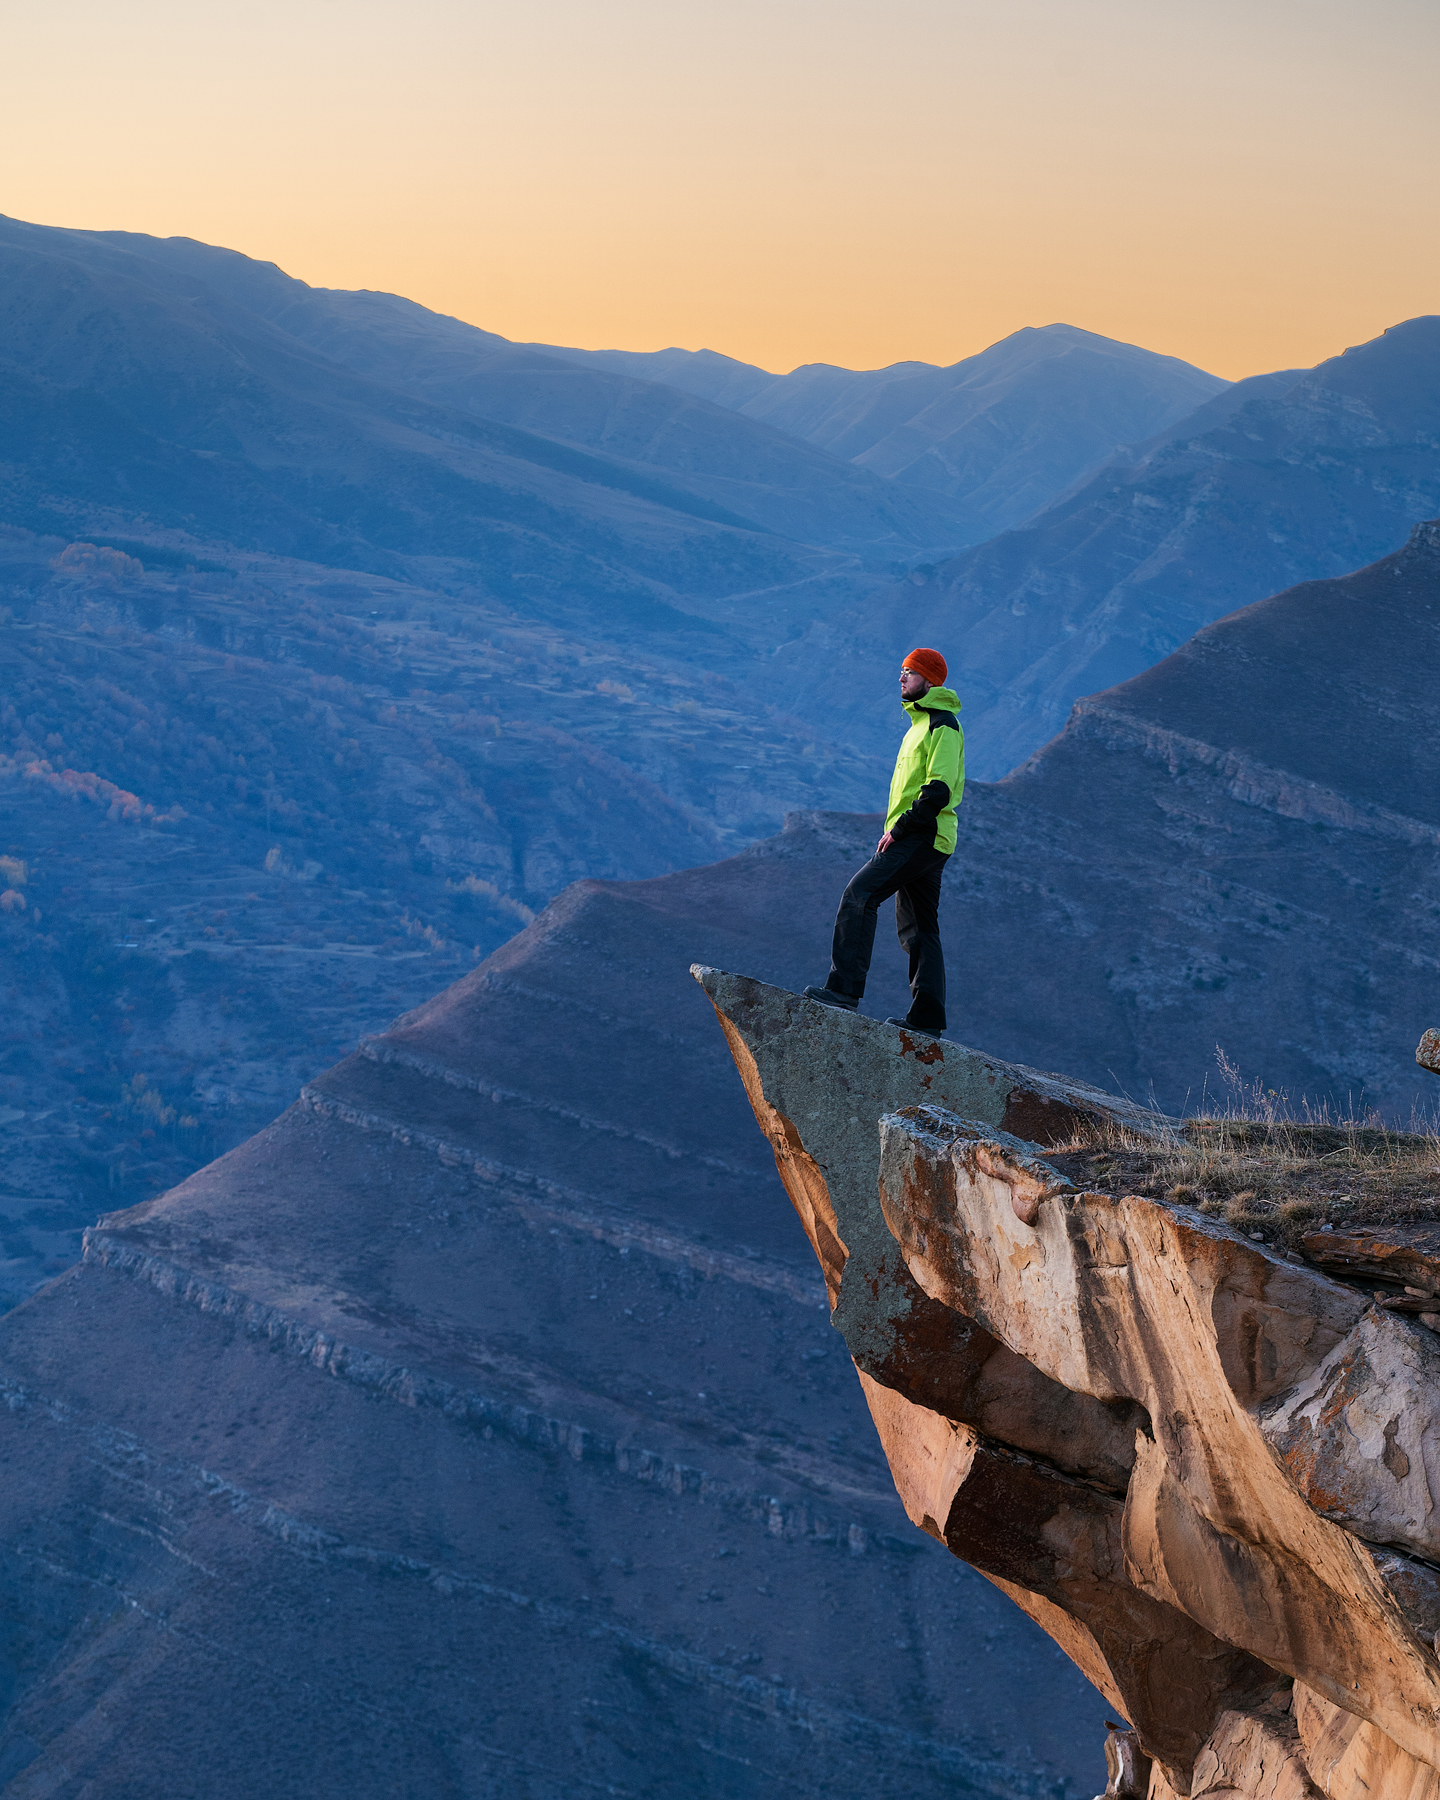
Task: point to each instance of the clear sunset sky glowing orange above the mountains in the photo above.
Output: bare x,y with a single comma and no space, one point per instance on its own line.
1248,184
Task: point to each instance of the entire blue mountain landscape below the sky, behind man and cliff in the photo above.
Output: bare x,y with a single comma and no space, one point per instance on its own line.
492,1381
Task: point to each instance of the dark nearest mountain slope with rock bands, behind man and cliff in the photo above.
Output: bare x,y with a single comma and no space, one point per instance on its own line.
494,1380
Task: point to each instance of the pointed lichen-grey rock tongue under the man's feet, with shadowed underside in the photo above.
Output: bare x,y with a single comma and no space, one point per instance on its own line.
991,1455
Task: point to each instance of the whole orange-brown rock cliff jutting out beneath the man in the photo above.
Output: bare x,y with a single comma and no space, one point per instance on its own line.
1205,1468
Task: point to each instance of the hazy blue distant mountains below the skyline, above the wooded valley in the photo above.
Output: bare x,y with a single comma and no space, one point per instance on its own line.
159,386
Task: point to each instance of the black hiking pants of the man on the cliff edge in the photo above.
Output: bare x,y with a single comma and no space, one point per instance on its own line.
910,870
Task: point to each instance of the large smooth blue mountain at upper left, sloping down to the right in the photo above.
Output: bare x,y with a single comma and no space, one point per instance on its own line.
366,406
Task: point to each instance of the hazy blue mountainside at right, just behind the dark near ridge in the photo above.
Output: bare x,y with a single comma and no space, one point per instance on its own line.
1297,478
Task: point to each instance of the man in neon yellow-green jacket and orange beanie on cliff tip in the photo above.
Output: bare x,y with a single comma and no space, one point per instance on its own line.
910,859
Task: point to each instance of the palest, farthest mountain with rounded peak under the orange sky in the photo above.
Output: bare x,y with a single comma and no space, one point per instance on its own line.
989,440
